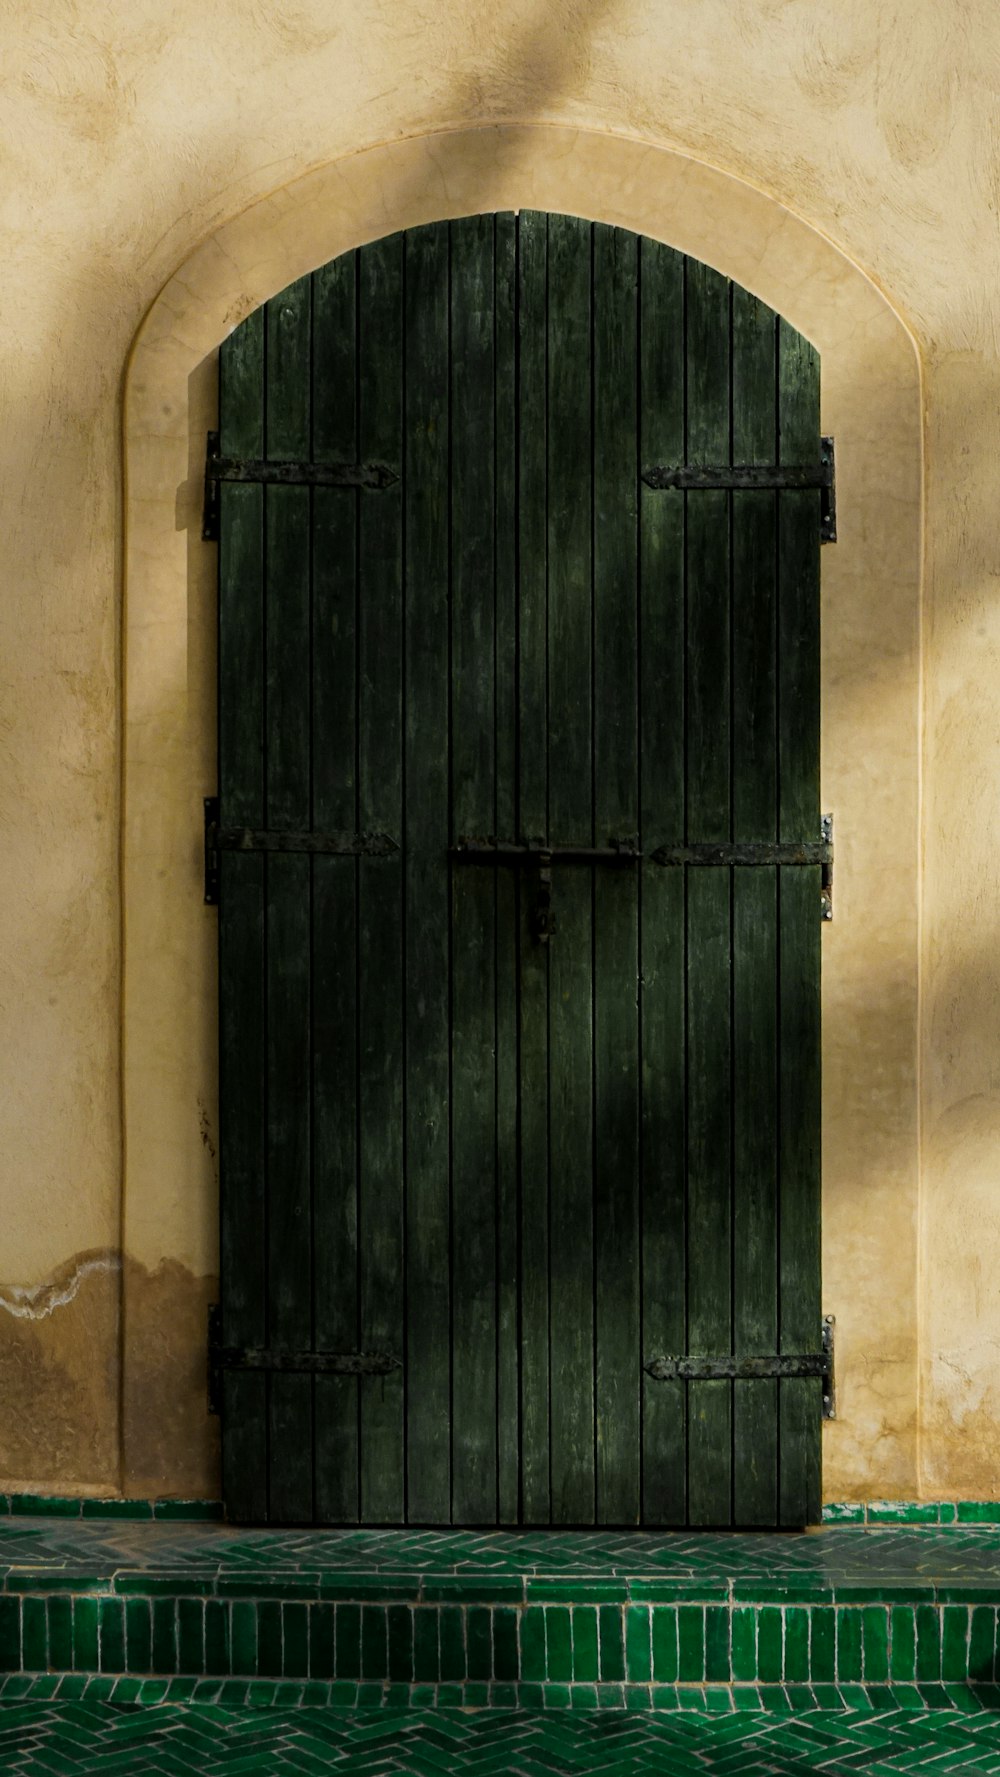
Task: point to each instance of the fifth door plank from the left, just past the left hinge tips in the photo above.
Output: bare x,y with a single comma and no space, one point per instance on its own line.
429,1277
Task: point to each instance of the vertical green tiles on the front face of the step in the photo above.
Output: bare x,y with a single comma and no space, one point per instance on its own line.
564,1645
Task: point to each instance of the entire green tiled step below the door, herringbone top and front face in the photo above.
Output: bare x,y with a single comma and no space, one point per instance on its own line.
612,1618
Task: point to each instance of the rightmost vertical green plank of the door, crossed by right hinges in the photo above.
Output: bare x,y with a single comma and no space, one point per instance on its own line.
800,932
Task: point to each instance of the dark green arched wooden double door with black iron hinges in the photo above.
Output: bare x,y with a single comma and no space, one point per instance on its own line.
500,1128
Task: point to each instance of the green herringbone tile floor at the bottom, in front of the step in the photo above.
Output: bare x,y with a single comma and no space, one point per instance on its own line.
131,1742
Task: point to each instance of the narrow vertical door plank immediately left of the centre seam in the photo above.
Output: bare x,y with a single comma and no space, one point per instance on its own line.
507,937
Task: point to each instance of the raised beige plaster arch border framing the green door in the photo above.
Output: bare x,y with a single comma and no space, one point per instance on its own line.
871,747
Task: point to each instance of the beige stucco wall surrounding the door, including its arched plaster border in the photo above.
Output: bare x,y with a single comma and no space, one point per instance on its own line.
166,170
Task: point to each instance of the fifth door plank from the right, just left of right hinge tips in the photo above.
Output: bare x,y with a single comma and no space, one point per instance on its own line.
615,893
